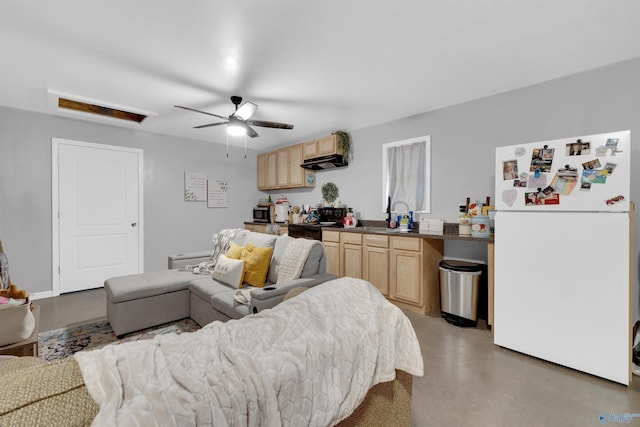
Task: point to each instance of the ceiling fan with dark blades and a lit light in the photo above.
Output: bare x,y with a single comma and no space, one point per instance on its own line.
238,122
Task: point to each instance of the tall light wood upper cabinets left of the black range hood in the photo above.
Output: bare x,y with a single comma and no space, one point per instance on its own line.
281,169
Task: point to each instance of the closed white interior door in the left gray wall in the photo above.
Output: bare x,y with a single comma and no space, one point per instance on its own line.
99,210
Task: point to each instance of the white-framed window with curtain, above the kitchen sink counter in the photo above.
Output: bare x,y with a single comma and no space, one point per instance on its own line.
406,174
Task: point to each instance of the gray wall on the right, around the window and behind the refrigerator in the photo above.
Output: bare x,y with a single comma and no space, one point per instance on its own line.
464,137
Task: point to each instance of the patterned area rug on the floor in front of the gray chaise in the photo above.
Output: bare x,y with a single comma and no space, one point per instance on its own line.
64,342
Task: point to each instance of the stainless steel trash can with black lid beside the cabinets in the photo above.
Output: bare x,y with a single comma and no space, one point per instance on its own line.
459,289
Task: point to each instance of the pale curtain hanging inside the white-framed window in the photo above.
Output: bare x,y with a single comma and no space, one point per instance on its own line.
407,177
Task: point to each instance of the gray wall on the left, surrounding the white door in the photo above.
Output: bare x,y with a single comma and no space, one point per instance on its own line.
171,225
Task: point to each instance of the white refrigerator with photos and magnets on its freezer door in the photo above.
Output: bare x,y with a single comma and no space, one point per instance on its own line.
563,243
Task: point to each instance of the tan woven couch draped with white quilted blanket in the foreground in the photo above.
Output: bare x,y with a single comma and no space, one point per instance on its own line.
337,354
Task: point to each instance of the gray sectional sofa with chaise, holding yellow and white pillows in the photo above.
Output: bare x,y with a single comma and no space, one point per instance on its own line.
143,300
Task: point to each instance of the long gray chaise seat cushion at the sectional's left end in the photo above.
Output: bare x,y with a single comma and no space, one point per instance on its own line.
135,286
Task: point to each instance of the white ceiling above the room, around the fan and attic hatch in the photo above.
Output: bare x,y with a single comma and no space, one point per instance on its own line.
320,65
